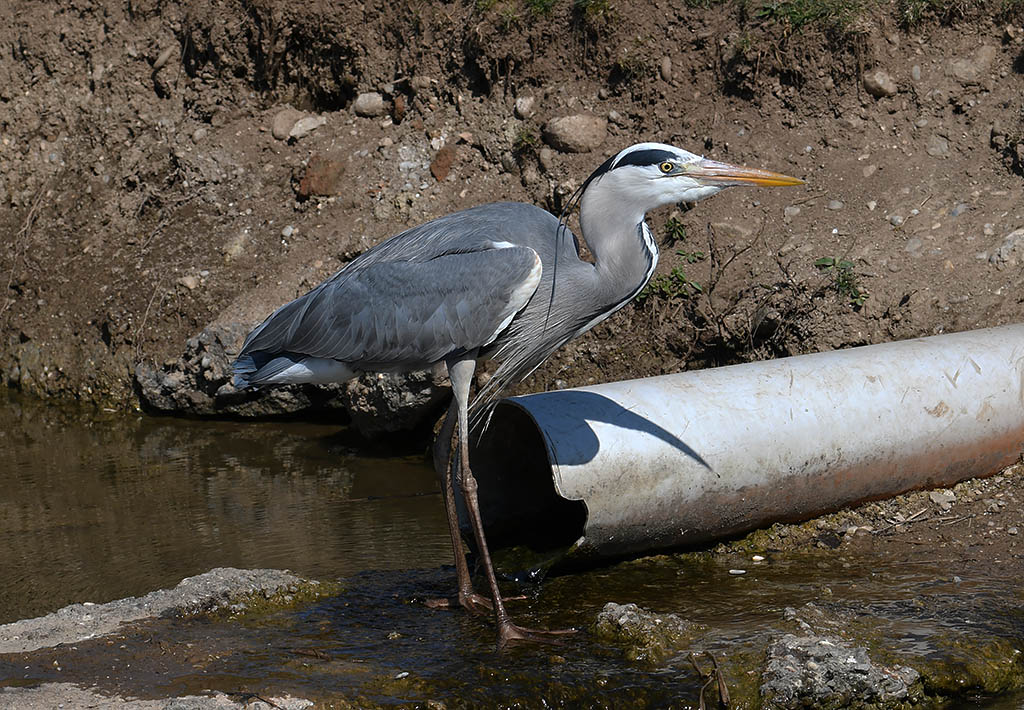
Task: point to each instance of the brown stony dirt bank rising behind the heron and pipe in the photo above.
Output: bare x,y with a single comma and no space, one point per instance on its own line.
146,194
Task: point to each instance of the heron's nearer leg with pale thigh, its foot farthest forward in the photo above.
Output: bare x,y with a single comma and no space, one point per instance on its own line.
461,373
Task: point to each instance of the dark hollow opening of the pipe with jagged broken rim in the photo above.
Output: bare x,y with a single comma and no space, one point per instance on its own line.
519,500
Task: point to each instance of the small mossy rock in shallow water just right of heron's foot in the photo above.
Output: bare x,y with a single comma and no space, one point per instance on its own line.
645,636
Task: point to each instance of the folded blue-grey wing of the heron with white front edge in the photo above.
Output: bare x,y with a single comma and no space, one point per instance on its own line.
405,314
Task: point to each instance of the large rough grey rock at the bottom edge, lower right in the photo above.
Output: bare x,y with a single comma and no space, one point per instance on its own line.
826,673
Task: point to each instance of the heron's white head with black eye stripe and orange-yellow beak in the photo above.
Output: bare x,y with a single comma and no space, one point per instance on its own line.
656,175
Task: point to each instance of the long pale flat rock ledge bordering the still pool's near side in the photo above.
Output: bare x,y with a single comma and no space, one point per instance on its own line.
211,591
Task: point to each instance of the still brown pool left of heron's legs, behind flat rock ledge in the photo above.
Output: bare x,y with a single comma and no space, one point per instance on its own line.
101,508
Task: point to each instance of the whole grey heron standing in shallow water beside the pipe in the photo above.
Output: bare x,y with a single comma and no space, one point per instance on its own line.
501,280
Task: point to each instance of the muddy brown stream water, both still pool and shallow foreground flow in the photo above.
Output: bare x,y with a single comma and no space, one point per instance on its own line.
97,509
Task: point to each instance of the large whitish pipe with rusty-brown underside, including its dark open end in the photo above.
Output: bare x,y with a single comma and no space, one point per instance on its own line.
646,466
